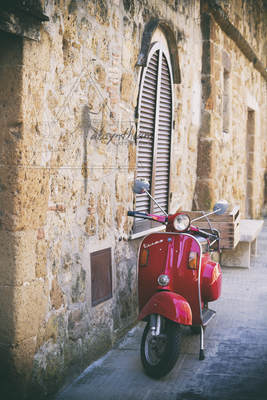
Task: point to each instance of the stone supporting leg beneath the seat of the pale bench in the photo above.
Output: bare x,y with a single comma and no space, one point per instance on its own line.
239,257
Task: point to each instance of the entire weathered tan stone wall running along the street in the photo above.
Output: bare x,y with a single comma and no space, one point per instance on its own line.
68,156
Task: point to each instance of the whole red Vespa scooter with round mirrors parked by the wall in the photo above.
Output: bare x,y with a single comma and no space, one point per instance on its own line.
176,280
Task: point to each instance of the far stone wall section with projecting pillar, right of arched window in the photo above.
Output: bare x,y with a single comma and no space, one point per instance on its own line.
235,160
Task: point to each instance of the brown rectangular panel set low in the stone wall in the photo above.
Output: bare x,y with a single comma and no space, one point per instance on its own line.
101,276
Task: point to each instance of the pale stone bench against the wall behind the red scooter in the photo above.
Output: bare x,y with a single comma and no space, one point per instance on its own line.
247,246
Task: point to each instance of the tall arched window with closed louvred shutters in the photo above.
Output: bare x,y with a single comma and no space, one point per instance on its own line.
155,110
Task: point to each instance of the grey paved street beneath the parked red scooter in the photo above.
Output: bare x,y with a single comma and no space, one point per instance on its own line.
235,365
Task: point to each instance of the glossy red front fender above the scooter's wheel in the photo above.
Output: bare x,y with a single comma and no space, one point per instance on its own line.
169,305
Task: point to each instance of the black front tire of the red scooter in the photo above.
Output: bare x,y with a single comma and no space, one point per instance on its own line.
160,356
